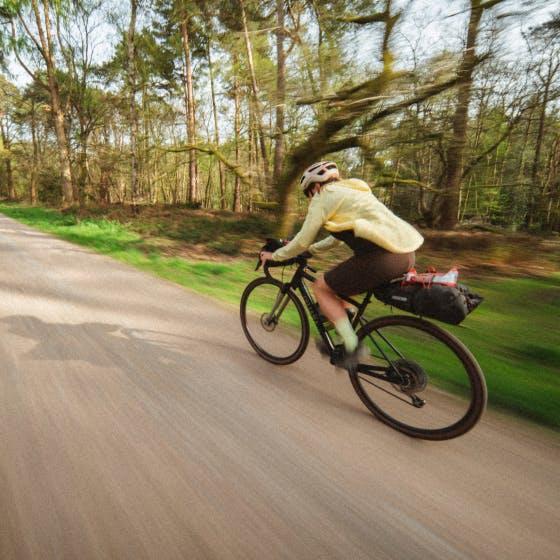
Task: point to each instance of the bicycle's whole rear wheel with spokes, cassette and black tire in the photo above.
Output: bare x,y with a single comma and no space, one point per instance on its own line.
419,379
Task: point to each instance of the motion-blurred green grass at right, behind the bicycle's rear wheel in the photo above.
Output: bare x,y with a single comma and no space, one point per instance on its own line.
515,337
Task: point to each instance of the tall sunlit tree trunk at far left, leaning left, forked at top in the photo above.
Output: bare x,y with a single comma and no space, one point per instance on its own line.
56,106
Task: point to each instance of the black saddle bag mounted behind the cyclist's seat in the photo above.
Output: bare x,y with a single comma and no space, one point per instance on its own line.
436,301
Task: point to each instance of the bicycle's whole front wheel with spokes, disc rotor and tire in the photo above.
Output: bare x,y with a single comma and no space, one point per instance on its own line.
274,321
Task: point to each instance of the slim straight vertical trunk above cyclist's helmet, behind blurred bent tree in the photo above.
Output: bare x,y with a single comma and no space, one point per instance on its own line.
280,93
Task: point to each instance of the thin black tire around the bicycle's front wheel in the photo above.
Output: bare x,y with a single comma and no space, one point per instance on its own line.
304,323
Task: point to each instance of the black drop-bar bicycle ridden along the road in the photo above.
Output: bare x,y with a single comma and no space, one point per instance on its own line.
418,378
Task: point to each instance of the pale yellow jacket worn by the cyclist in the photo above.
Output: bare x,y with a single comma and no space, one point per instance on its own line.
349,204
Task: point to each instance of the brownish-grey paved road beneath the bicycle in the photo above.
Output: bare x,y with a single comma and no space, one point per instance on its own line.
136,422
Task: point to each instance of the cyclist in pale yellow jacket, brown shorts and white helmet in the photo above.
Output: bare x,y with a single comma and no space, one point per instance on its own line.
383,244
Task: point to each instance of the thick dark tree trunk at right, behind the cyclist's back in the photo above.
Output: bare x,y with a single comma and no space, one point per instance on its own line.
448,211
